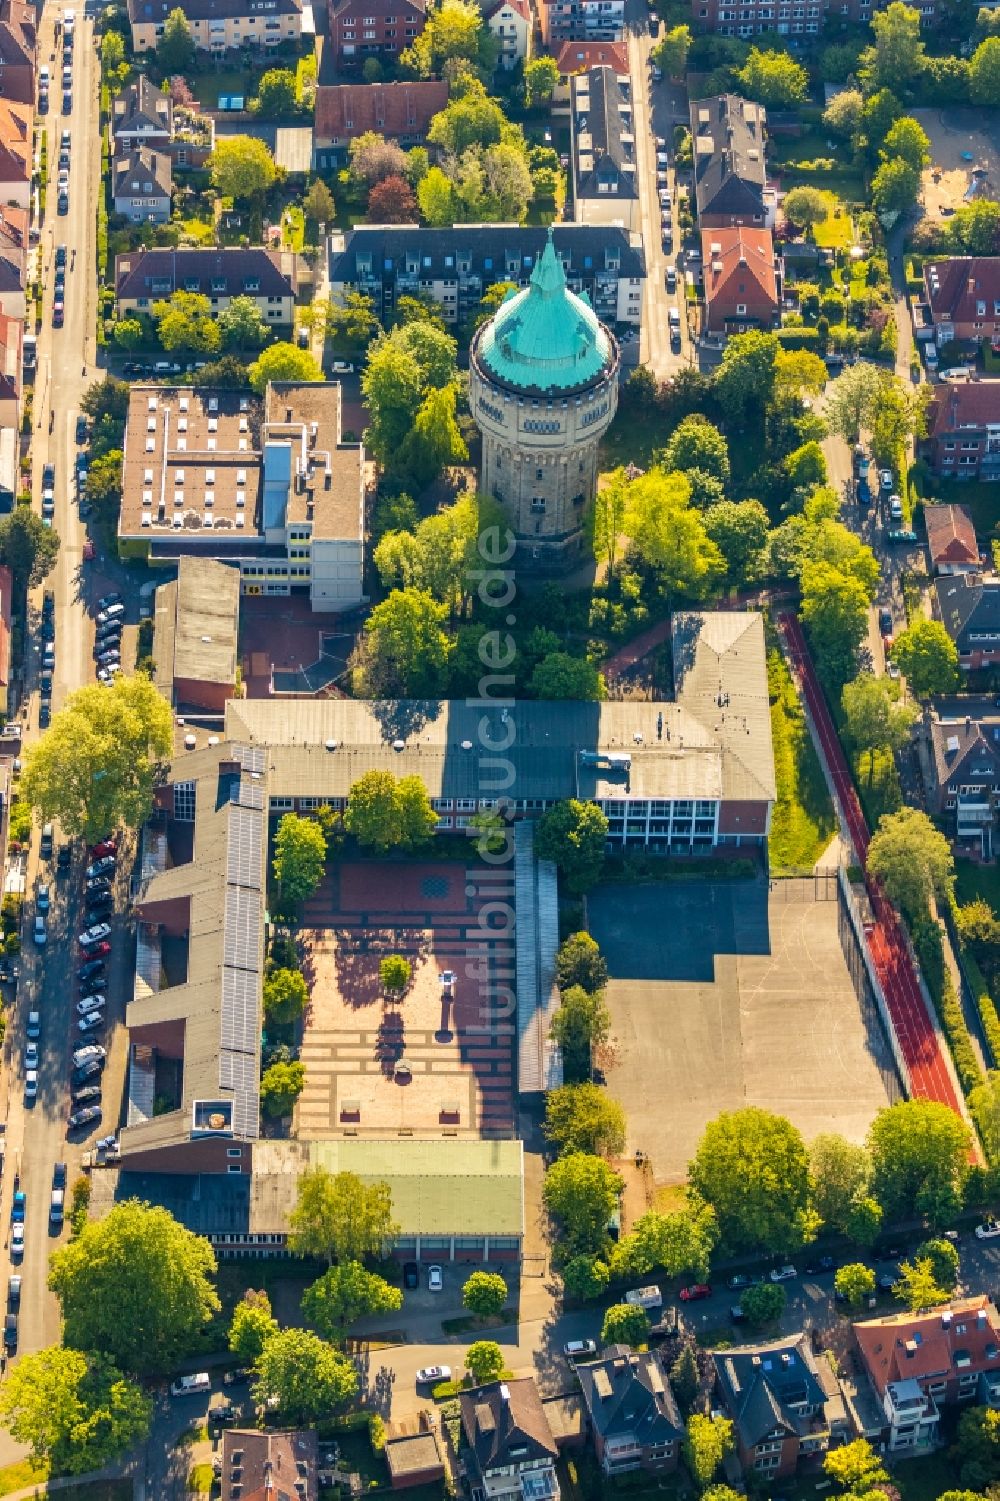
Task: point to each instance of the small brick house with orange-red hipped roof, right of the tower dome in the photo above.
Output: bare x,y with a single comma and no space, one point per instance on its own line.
741,280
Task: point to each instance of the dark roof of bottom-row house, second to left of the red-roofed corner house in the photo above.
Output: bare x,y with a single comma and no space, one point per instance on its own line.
630,1394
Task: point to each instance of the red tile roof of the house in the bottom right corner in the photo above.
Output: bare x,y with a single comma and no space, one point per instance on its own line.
924,1346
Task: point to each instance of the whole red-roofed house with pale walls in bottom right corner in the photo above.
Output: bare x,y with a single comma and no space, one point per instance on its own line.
920,1362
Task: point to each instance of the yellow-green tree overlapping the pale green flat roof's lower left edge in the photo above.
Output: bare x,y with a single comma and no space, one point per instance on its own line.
339,1218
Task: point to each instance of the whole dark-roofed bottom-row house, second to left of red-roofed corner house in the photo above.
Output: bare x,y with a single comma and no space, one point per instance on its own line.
633,1413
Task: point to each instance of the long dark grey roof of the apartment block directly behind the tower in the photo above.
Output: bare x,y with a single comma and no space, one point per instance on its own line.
496,251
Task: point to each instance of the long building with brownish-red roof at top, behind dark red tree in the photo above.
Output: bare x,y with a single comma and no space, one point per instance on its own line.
402,112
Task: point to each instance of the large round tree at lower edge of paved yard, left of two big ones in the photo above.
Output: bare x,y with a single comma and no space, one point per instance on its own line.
755,1172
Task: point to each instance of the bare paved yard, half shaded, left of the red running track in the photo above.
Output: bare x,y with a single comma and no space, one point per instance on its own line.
726,994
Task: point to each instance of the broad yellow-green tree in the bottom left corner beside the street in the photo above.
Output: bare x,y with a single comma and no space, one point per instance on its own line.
76,1412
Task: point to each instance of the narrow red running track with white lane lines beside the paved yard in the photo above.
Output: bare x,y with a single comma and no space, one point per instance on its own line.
930,1078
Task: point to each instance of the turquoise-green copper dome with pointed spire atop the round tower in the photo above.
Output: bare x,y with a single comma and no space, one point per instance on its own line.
546,338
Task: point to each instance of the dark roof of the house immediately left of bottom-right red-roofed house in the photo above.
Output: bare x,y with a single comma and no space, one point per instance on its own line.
764,1385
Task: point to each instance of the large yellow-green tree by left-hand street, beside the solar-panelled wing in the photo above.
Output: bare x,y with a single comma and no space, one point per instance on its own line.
95,766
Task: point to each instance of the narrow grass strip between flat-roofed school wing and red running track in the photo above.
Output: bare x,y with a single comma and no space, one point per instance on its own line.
803,822
